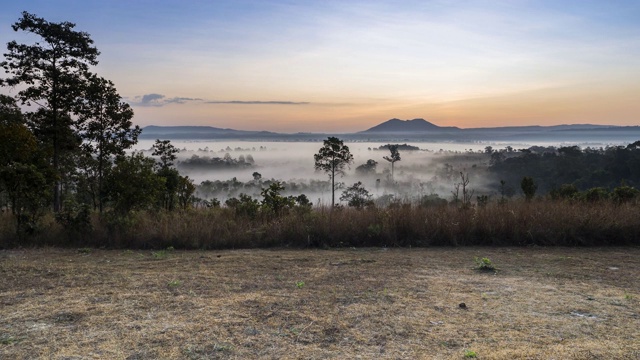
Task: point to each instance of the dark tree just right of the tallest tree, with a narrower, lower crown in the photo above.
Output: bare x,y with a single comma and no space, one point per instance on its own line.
106,128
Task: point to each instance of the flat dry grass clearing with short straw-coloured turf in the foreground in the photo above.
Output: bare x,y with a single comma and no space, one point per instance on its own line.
542,303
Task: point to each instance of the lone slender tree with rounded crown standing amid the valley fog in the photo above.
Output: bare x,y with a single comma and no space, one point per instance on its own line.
332,158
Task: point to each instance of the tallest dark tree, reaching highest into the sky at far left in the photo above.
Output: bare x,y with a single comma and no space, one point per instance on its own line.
53,72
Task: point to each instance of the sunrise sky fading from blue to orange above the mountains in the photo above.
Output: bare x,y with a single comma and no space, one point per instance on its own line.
345,66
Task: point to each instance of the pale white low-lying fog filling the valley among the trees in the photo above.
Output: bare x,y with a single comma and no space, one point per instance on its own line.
434,169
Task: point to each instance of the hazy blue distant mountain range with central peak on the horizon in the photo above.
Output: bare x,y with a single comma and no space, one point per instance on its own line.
410,130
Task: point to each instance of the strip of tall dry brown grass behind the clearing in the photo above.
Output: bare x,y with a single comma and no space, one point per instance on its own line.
520,223
